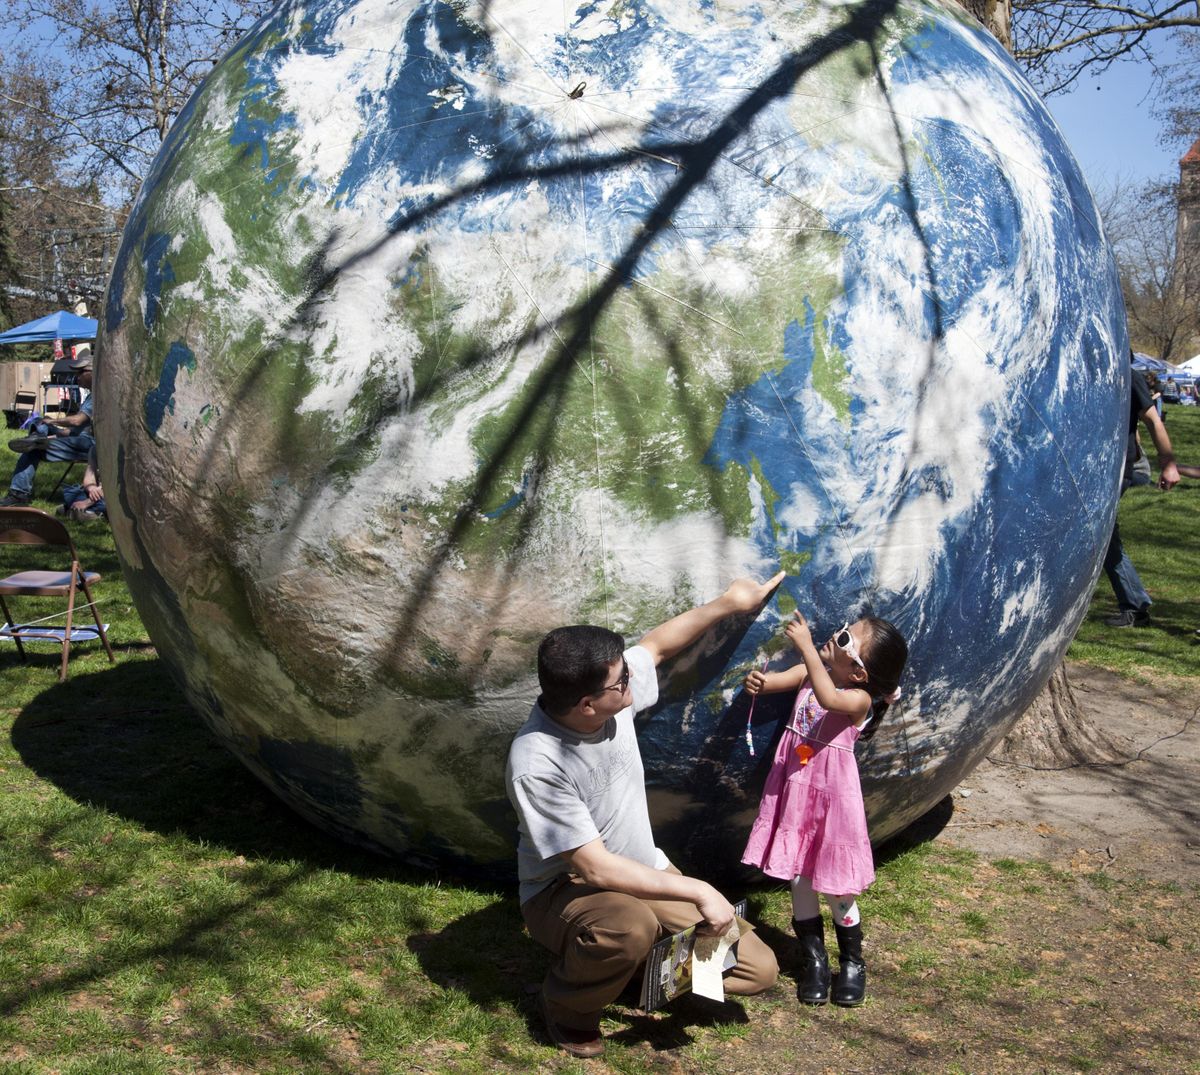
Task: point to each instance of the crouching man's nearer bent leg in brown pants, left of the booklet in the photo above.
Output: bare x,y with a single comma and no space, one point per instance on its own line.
601,940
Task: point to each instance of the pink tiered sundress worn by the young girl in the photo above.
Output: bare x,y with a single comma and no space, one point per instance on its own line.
812,821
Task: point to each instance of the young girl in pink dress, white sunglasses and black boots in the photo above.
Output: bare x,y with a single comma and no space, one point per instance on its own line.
812,826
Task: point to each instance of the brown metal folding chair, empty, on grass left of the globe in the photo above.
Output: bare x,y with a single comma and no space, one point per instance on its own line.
28,526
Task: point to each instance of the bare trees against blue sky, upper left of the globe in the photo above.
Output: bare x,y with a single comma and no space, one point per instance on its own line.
88,92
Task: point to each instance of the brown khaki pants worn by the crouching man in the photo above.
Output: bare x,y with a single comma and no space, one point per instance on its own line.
602,938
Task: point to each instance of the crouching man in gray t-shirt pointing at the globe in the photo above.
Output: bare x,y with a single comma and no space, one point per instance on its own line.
595,888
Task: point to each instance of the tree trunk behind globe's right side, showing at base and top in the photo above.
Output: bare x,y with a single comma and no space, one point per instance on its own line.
1053,732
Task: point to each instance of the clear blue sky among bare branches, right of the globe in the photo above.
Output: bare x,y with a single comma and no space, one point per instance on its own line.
1111,130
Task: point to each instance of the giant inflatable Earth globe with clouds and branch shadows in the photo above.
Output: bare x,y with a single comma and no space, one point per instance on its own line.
439,326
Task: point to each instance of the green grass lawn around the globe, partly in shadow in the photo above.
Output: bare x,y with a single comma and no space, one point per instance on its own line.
161,912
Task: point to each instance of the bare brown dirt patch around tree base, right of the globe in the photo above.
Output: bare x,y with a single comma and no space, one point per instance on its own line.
1138,816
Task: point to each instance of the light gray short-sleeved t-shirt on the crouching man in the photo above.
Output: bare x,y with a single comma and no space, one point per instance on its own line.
569,790
